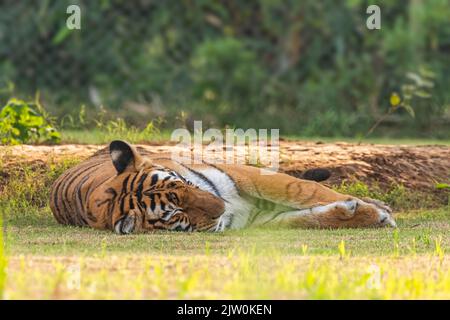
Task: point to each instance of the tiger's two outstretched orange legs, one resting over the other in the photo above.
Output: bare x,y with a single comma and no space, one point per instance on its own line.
317,204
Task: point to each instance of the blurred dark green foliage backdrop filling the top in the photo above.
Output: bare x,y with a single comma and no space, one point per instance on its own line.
307,67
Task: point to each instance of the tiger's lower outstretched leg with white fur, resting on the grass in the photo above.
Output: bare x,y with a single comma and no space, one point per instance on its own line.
352,213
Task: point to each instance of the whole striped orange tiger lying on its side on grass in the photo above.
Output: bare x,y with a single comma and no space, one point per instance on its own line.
129,191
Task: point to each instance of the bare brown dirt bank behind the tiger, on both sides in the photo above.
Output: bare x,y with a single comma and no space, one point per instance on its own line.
415,167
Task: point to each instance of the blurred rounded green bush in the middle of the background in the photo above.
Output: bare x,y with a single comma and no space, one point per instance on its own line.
225,73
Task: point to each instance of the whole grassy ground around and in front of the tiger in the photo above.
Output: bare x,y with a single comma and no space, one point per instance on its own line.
47,260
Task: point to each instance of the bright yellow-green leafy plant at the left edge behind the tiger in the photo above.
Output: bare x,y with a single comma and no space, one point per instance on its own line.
26,122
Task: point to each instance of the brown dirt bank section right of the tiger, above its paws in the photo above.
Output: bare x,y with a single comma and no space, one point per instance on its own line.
416,167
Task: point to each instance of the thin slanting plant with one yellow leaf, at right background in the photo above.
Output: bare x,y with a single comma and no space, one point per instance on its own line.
419,86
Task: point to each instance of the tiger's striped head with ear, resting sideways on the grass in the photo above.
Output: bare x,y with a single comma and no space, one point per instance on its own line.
152,197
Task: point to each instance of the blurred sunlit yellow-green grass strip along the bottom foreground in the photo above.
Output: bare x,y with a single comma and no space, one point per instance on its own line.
235,275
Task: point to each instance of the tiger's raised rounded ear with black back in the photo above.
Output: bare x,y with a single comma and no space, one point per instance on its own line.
125,157
